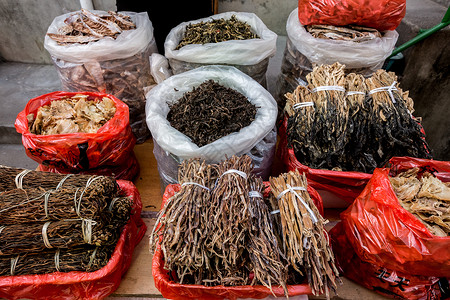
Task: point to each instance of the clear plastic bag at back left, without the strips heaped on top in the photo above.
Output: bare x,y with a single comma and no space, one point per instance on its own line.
120,66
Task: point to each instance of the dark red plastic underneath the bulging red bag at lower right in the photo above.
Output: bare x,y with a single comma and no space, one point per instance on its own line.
378,278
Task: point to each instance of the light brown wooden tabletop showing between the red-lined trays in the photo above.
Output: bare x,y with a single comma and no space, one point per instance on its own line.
138,281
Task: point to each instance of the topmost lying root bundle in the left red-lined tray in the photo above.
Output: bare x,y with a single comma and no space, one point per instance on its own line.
15,178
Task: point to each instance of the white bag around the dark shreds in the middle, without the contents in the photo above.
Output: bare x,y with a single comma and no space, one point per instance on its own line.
172,147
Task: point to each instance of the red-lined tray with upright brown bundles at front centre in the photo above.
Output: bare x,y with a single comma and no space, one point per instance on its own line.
238,254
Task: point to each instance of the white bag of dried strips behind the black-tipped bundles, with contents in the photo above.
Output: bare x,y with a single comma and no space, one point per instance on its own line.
361,50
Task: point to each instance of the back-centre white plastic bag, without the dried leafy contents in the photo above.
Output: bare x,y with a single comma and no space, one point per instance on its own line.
250,56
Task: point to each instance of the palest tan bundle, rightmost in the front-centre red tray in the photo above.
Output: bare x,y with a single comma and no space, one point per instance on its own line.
303,236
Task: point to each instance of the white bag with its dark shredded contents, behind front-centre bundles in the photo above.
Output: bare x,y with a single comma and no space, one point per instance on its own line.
211,112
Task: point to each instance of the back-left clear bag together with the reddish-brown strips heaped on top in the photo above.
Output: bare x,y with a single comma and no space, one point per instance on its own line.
105,52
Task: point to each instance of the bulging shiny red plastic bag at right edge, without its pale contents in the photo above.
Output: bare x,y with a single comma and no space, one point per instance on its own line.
382,233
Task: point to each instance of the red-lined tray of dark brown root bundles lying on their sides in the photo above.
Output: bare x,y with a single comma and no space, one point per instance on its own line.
82,271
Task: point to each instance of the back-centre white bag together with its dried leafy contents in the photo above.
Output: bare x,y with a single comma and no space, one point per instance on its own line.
239,39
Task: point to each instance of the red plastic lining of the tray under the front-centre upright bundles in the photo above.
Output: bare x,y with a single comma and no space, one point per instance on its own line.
175,291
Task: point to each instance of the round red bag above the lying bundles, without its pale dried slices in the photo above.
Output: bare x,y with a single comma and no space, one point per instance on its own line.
111,145
